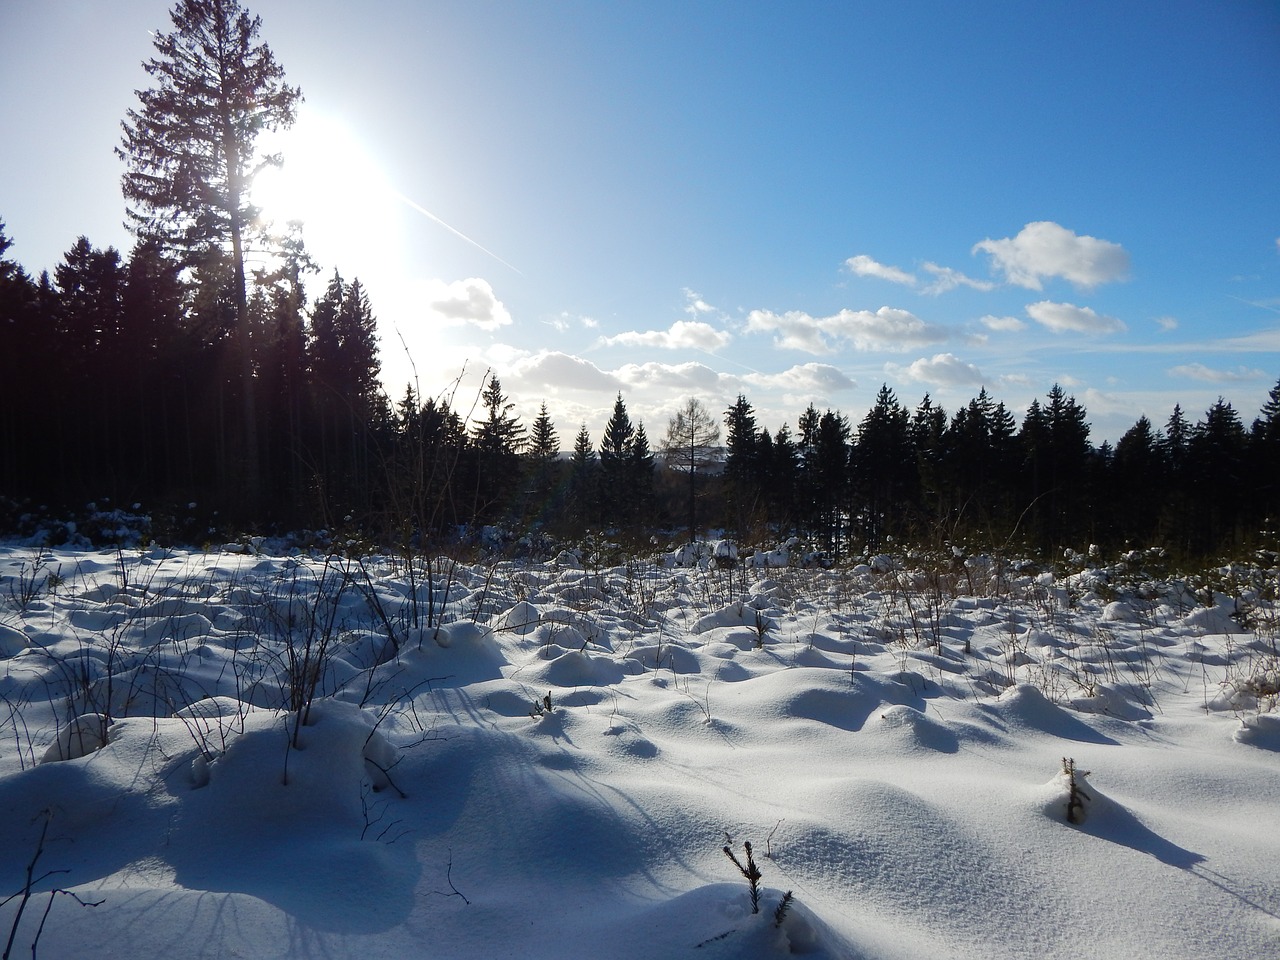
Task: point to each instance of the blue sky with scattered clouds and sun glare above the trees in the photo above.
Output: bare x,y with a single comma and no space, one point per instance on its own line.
798,202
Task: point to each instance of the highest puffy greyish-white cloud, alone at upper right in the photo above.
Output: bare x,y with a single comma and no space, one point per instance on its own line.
1045,250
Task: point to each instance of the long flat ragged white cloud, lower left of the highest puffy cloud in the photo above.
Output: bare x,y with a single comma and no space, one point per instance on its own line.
889,328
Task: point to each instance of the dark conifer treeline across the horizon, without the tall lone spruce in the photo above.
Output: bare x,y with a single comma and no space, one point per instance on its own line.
122,380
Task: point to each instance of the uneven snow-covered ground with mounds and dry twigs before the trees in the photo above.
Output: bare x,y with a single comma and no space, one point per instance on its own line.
548,761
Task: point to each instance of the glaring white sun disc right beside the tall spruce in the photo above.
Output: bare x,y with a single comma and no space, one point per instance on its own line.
331,184
